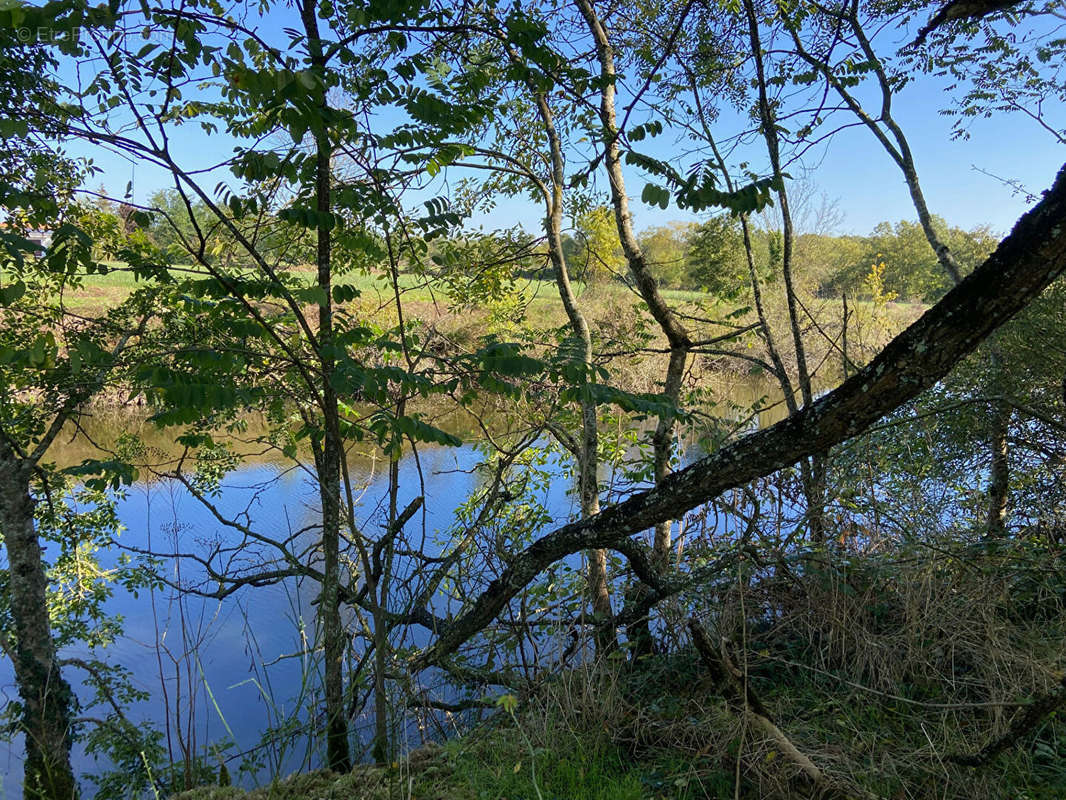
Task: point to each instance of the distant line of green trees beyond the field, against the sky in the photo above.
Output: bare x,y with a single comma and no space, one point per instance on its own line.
894,262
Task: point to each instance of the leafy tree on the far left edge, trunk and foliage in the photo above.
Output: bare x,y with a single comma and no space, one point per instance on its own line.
51,366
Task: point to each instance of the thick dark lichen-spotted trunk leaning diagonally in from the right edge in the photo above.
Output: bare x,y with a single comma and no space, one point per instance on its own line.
1024,265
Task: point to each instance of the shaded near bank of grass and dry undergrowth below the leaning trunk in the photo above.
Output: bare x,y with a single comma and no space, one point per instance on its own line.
905,675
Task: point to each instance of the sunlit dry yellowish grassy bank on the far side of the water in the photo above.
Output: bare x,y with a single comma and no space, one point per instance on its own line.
619,318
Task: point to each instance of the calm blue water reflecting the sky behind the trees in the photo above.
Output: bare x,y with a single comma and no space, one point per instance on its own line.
231,669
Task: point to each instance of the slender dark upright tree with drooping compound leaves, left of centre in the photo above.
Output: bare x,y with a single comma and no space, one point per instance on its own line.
251,309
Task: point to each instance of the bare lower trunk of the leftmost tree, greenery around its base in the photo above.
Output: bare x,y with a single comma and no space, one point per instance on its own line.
46,696
